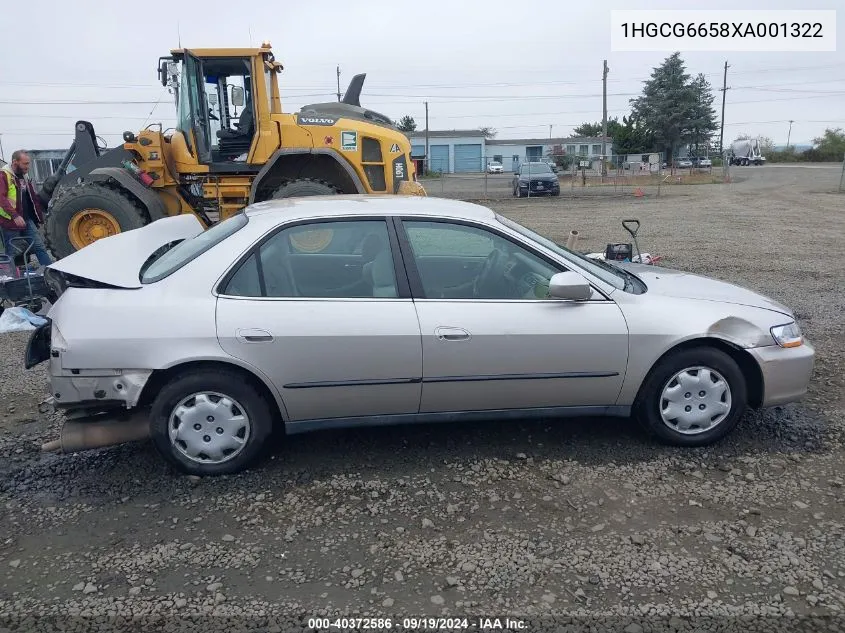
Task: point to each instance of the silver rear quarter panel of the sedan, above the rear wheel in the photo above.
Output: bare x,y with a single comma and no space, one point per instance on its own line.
157,326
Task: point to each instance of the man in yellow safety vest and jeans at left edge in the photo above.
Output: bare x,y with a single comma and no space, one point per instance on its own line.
21,209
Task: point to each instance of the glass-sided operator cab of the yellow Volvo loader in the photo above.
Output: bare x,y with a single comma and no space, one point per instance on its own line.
220,107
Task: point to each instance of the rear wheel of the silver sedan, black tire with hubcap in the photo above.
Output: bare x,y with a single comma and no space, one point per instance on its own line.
248,402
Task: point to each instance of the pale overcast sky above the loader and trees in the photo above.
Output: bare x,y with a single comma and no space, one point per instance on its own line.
515,66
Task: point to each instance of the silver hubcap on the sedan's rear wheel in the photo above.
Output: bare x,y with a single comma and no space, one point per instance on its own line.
209,427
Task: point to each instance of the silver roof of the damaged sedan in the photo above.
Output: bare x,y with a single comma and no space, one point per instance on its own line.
351,205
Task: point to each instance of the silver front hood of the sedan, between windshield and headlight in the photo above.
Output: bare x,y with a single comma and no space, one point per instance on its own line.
683,285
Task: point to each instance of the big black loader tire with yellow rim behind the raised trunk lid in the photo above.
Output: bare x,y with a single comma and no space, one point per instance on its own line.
87,212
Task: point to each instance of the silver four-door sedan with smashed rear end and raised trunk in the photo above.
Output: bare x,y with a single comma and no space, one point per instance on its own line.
314,313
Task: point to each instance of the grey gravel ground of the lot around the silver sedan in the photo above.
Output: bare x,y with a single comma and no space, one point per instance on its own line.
572,525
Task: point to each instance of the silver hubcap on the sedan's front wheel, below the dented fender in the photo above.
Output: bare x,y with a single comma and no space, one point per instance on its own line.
695,400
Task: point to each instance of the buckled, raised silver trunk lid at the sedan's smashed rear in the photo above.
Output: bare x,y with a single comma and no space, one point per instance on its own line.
117,260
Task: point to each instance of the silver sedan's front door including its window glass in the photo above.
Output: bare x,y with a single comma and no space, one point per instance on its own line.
491,337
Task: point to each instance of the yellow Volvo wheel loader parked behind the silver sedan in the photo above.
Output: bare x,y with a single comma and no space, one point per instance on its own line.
232,146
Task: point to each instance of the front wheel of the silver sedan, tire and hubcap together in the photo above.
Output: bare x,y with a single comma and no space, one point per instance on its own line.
693,397
